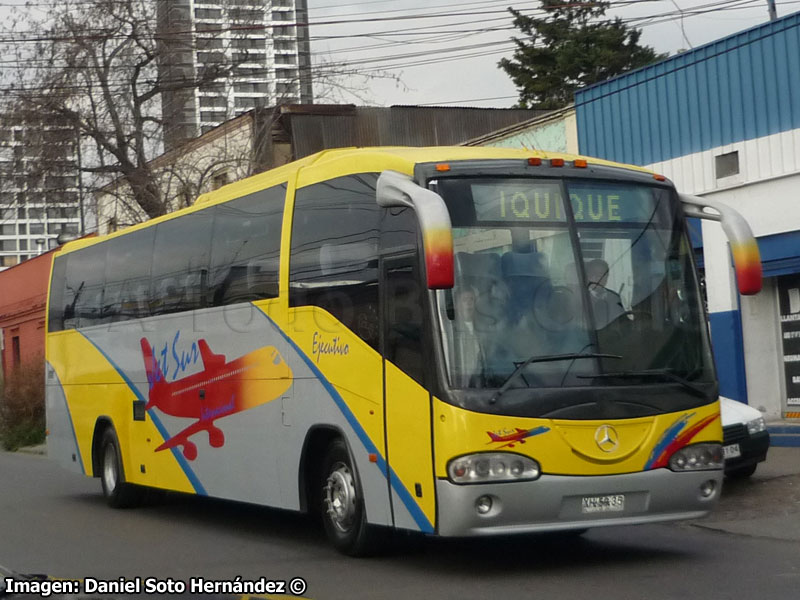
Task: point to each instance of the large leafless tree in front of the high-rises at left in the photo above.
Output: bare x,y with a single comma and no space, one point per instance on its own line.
120,74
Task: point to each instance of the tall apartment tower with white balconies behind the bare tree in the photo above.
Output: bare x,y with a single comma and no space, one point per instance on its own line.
259,48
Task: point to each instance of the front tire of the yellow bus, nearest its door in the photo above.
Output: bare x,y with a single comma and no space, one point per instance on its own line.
342,508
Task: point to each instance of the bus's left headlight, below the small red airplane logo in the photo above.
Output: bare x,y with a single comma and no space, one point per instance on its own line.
492,466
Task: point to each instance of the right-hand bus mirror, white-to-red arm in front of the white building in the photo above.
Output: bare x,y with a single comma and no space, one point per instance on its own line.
746,257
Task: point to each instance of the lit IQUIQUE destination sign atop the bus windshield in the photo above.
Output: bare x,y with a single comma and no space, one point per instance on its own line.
534,201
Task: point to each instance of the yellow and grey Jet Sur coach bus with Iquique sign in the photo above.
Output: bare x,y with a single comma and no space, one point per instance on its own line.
453,341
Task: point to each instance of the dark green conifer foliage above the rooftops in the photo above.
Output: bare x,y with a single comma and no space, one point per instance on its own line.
568,47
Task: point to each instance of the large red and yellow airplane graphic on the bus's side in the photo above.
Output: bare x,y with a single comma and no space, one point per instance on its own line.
221,389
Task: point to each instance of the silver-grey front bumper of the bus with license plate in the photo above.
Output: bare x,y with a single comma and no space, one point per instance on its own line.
559,503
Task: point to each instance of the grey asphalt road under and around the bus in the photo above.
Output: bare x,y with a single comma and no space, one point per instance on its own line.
56,522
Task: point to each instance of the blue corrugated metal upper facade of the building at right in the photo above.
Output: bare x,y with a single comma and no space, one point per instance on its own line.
738,88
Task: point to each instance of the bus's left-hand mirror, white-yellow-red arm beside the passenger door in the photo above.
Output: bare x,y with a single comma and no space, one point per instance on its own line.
397,189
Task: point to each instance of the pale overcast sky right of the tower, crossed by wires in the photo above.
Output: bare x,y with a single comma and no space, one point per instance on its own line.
445,52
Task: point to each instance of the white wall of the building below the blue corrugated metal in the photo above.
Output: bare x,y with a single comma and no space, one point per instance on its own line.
765,192
